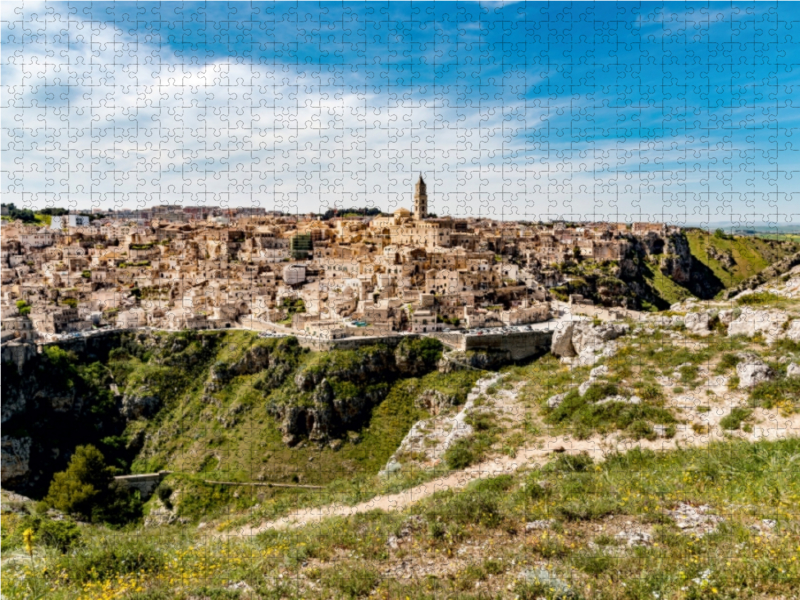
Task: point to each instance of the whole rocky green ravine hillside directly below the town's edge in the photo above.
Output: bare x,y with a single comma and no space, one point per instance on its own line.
200,402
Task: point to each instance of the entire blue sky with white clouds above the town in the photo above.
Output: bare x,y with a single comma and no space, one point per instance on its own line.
684,112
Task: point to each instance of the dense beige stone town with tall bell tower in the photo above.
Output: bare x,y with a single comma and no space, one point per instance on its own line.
174,268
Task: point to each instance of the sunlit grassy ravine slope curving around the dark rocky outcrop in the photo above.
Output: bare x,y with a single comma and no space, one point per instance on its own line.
231,437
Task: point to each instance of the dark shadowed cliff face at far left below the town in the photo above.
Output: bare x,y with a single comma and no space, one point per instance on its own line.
67,396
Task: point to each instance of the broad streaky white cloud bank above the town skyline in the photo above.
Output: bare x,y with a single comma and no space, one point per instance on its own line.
94,116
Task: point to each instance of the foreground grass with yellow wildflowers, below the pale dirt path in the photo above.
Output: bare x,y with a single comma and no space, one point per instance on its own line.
346,557
